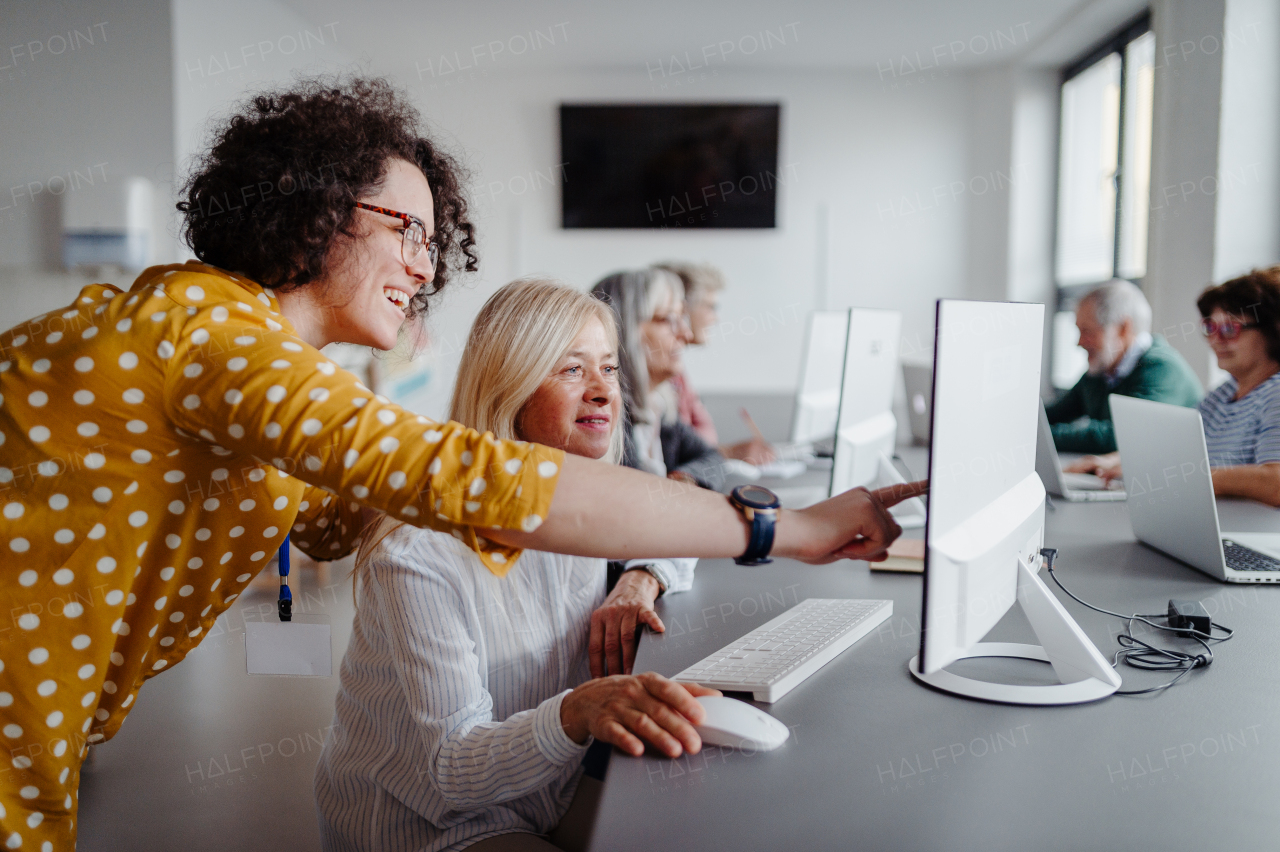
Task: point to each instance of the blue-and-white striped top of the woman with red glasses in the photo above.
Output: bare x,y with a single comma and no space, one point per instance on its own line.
1242,432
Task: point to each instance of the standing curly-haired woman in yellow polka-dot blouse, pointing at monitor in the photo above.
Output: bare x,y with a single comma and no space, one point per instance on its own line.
203,425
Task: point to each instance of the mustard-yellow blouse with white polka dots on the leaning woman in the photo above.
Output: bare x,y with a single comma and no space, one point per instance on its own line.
156,448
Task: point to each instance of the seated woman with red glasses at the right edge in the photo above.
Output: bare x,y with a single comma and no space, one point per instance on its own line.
1241,320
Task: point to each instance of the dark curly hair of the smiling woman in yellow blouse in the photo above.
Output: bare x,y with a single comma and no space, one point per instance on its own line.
276,191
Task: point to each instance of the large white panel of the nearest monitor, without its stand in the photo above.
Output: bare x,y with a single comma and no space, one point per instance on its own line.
986,502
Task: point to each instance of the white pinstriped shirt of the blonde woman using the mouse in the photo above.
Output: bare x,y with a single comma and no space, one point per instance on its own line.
447,727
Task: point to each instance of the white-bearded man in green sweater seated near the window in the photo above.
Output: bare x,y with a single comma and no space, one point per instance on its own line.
1124,359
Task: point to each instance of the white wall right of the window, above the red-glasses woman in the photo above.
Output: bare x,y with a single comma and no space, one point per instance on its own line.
1215,185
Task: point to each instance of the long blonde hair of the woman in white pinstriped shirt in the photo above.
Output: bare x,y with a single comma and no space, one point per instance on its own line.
516,341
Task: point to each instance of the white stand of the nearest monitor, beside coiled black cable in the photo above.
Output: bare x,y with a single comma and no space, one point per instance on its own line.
1085,674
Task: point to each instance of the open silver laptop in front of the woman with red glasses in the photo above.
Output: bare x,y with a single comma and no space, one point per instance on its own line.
1172,502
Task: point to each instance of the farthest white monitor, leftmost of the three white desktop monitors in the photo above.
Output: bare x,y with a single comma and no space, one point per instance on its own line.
819,391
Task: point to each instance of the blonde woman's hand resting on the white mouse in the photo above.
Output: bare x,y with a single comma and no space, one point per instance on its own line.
632,711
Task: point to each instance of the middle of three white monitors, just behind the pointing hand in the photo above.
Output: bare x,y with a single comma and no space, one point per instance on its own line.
866,429
